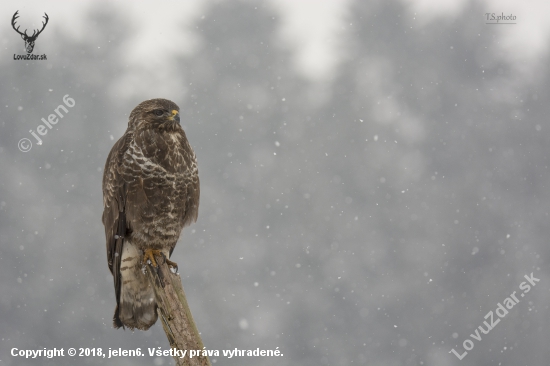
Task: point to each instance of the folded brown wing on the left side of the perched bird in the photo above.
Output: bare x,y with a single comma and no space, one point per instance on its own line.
114,207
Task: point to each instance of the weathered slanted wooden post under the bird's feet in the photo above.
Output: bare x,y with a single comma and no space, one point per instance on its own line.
174,313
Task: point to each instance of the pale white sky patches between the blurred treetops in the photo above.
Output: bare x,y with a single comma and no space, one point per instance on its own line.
315,29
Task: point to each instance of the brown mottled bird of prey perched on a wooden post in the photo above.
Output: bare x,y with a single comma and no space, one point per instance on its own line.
150,193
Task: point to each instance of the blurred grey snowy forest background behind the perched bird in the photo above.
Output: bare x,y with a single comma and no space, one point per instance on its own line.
370,217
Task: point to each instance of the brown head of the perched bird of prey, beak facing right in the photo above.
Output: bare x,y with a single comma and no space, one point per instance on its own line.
155,113
